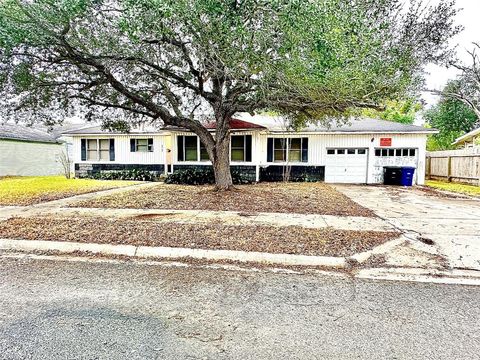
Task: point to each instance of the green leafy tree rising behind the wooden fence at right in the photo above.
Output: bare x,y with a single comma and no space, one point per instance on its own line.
452,117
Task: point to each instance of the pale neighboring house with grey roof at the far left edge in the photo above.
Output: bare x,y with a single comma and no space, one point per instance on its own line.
25,151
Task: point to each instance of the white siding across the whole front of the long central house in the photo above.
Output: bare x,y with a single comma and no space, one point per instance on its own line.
317,150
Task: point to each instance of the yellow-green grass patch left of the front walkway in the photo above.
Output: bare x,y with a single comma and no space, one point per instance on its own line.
36,189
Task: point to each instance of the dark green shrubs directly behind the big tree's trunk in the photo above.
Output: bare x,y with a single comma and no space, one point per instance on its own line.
201,177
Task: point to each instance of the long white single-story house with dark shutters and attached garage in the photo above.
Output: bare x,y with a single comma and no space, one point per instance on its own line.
261,148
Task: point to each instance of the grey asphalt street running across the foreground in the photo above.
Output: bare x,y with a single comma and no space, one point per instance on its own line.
83,310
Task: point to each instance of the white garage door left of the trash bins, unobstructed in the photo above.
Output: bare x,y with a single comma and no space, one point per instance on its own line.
348,166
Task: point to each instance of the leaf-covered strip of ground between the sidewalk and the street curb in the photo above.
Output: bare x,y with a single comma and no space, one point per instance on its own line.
290,239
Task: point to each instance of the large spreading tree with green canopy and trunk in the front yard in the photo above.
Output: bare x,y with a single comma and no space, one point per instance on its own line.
184,62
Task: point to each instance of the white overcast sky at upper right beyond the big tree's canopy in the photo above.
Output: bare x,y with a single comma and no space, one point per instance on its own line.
469,18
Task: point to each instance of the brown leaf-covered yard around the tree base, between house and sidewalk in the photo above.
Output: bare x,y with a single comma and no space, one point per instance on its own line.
300,198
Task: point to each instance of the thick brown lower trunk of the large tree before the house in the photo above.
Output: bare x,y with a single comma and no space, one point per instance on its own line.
221,163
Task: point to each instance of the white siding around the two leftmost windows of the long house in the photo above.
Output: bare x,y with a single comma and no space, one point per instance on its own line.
123,155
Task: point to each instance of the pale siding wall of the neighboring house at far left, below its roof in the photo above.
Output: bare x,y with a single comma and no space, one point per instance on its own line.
23,158
